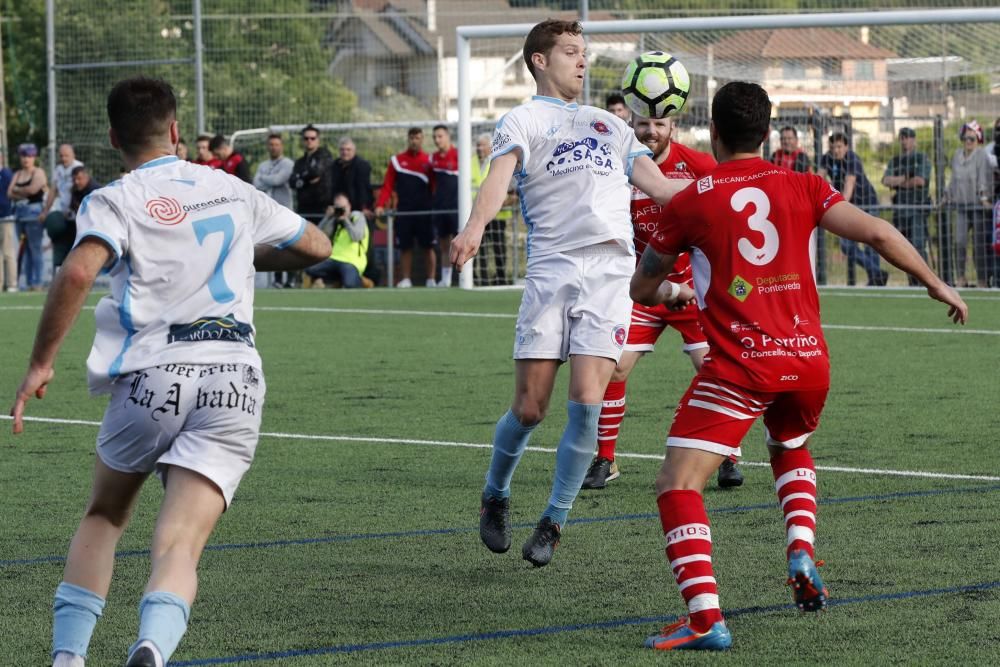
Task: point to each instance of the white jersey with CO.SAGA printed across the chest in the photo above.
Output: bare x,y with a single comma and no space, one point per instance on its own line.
573,179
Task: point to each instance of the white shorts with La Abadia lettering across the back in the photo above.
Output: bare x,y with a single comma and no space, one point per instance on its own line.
203,417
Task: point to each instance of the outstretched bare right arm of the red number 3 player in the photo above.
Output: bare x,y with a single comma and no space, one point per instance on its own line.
852,223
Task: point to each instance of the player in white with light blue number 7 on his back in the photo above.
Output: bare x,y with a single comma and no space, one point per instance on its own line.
175,349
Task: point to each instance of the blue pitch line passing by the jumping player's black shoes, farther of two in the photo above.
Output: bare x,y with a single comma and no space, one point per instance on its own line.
454,531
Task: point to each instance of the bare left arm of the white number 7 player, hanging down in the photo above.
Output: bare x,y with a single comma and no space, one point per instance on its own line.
65,300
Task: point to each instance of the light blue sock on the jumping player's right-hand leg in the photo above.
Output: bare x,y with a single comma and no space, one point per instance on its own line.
576,448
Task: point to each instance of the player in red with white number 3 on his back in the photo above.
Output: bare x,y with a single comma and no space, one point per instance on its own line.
750,227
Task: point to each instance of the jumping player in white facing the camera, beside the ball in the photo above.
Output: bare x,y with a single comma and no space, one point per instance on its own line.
573,165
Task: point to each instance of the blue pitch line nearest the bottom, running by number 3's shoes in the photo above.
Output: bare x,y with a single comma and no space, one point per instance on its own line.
560,629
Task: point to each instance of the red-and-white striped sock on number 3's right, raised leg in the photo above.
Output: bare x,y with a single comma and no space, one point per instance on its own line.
795,483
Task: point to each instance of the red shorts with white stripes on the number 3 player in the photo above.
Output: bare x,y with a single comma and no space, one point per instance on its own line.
715,415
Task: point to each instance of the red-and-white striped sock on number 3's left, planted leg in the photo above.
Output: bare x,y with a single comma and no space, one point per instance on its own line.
689,550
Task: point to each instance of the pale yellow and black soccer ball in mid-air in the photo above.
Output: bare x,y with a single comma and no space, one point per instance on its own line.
656,85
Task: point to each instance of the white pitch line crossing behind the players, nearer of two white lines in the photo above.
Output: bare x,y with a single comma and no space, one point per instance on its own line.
549,450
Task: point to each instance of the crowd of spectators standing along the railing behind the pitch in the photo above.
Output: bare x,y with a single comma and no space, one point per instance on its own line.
421,191
